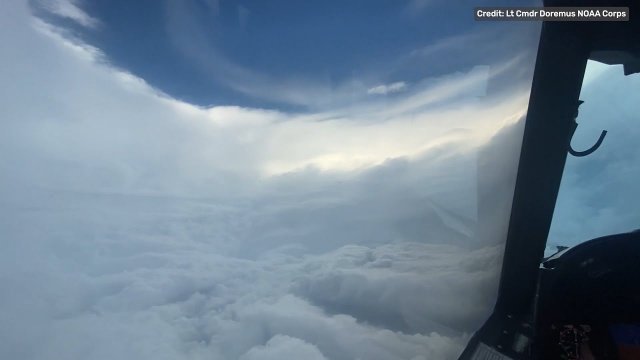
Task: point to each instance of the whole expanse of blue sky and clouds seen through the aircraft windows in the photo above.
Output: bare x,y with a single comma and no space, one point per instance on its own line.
237,180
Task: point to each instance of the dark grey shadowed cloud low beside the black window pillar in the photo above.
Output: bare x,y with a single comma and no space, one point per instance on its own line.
392,286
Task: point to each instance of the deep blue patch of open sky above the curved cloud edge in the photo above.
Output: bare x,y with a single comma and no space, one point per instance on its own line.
281,54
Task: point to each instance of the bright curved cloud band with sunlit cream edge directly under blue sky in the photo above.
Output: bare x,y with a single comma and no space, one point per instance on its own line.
234,142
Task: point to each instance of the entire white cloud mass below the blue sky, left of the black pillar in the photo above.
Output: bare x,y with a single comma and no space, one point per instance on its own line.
137,226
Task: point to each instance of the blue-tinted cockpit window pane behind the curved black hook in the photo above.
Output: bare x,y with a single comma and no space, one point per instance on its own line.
597,193
